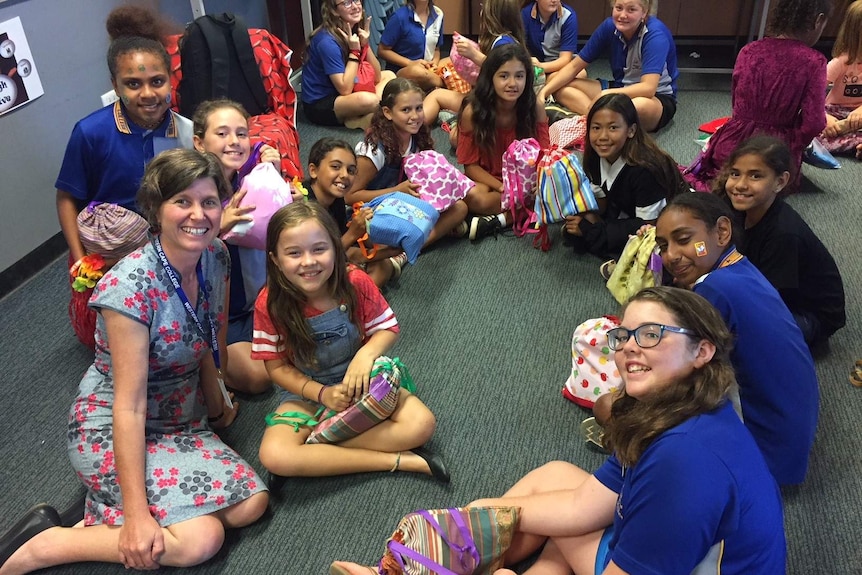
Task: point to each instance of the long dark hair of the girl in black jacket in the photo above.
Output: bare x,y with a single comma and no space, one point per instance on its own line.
639,150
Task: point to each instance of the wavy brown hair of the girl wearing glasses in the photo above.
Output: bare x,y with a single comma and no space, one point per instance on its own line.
635,424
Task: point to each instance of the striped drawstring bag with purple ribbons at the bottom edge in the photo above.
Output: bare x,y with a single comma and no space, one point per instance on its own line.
456,541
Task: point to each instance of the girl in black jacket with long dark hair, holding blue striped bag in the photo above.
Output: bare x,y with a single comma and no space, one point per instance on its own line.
631,176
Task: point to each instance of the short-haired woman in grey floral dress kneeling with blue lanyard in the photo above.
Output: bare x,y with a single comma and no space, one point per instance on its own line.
161,486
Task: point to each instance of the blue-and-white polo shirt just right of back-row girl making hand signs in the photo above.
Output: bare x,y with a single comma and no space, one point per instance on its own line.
407,37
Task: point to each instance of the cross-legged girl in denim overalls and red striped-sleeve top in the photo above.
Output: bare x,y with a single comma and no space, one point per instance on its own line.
318,326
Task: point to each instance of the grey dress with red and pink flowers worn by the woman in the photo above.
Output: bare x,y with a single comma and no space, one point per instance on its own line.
189,471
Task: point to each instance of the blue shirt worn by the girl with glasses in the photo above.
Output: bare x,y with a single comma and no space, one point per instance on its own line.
699,499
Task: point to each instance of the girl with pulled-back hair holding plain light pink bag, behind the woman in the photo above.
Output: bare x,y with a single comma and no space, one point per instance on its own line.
221,128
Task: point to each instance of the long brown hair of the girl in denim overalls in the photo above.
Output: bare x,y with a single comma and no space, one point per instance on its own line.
285,302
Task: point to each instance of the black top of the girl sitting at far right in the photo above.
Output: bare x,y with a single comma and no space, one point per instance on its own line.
797,264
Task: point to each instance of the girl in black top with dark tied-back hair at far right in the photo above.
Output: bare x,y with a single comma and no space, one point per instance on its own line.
778,241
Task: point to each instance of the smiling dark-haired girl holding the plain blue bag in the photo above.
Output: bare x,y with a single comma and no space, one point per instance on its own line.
331,172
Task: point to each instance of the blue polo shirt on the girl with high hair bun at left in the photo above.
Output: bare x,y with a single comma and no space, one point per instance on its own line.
106,155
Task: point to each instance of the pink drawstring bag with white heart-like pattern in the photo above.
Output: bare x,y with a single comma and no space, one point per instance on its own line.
440,183
